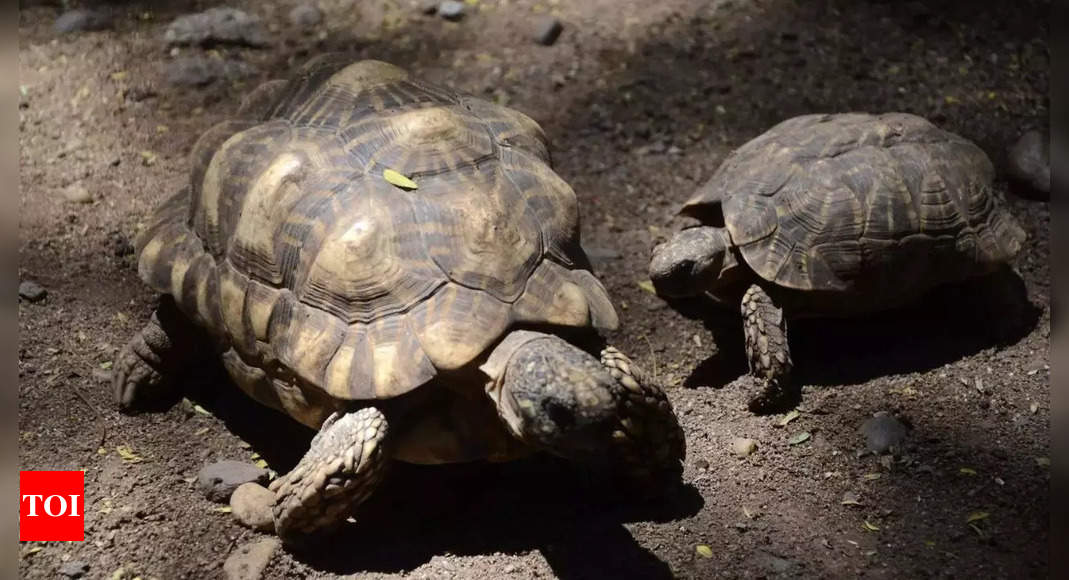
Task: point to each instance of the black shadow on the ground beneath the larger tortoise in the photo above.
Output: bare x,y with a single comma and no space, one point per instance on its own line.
537,504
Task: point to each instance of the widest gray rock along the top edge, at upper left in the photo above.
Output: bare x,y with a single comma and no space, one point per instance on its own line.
216,26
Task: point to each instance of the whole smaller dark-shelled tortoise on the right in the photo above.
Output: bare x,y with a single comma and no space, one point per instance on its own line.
835,215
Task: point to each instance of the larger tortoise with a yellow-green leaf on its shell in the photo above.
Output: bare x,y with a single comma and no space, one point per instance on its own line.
396,265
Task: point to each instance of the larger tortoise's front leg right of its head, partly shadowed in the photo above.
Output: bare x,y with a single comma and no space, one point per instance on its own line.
649,441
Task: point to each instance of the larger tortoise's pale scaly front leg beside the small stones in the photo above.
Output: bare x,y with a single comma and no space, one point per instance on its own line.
342,469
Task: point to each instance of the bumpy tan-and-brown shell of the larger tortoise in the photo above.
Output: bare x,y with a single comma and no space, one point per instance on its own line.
292,246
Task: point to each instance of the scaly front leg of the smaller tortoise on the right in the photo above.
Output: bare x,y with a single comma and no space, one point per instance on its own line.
765,328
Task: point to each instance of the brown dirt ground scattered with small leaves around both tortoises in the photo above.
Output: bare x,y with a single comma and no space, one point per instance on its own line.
642,101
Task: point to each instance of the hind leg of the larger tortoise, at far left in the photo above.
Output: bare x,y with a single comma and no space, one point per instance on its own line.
149,368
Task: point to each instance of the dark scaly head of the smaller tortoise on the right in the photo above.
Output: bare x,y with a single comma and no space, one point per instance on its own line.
694,261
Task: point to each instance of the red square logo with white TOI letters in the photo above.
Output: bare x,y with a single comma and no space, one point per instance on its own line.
52,507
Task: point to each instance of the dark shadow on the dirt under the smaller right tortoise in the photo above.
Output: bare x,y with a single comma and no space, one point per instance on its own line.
948,324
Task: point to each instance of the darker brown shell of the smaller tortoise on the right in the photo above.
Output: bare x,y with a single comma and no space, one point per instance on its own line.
851,202
